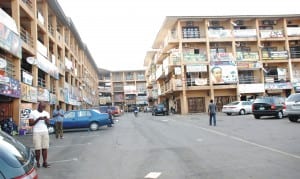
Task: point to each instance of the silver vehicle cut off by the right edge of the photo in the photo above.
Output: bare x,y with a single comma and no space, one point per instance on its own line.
293,107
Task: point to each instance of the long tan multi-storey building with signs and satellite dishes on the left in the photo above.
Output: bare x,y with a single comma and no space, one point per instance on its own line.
42,58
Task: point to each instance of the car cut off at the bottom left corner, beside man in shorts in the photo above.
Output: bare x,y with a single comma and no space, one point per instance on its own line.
16,160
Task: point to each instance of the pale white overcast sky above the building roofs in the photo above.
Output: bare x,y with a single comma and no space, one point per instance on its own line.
118,33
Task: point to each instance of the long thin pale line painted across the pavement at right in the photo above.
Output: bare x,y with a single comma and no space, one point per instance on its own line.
251,143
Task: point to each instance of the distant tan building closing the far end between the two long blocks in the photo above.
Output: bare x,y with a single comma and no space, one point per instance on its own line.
124,88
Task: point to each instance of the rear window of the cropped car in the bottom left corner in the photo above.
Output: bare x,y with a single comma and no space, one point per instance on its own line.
12,151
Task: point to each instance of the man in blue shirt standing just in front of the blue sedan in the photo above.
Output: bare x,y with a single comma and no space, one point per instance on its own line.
58,115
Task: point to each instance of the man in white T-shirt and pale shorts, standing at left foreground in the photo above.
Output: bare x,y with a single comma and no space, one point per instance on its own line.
39,119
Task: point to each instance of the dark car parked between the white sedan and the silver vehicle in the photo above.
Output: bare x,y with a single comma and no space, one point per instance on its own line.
268,106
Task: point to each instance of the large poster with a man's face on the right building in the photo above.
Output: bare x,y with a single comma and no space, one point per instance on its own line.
224,73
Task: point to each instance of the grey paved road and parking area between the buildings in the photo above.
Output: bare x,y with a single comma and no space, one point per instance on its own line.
178,147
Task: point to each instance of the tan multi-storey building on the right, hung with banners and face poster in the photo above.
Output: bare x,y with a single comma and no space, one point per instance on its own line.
224,58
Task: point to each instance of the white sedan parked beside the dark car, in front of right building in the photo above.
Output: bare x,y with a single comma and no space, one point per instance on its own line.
238,107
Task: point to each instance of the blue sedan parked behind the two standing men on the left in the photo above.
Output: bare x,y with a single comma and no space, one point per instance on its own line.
84,118
